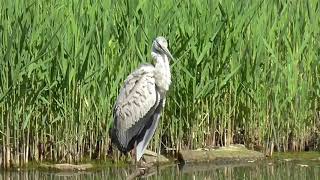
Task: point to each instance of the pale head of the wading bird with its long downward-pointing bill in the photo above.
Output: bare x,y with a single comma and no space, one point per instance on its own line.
160,47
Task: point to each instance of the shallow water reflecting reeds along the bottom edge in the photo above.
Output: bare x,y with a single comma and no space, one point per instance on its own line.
267,169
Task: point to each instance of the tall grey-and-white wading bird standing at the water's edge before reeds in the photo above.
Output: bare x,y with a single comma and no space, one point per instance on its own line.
137,109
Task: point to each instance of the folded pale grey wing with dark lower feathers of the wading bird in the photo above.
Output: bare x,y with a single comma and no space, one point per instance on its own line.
135,105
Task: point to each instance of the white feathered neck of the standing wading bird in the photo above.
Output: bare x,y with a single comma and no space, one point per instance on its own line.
162,72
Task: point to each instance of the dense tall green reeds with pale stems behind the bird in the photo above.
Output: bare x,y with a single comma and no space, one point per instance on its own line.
245,72
